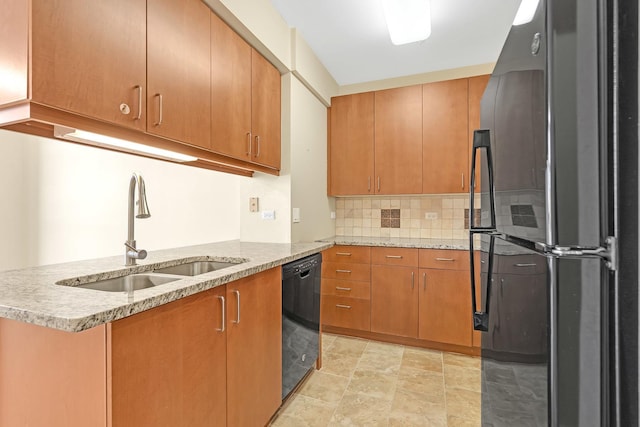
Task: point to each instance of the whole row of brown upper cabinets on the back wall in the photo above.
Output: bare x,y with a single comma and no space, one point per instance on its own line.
420,137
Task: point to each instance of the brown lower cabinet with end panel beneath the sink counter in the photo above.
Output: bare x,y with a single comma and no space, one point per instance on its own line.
173,365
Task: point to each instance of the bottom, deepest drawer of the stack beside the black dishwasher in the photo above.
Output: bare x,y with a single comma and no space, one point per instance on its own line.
344,312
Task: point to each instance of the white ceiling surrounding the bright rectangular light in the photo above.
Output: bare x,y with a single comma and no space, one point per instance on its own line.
350,36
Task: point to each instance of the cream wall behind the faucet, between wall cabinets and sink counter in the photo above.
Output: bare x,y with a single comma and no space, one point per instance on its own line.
64,202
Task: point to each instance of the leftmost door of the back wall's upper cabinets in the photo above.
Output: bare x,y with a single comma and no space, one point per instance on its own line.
351,145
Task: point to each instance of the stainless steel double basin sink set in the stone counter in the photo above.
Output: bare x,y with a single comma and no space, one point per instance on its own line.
155,277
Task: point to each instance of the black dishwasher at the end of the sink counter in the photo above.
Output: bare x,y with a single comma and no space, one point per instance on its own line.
300,319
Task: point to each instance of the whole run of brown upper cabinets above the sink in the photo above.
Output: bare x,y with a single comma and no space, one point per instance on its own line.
140,70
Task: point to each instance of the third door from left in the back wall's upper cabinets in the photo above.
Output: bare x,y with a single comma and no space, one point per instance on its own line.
445,150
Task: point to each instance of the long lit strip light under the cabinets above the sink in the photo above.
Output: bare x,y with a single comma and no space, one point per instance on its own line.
110,142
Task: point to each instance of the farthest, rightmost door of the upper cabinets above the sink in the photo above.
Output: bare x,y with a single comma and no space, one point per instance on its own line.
265,112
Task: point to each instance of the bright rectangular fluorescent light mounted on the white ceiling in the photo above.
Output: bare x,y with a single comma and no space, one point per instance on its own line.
408,21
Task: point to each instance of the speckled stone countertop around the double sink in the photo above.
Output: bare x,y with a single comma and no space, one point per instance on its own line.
32,295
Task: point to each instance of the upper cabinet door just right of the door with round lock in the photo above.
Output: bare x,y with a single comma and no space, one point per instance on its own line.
179,70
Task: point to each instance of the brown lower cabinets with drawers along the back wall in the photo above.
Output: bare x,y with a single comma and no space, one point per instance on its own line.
417,297
